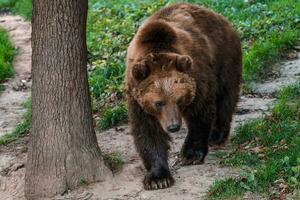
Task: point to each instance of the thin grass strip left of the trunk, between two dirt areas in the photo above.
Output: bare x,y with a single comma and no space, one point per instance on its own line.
21,128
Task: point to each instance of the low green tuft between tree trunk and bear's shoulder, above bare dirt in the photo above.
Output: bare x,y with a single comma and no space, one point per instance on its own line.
112,116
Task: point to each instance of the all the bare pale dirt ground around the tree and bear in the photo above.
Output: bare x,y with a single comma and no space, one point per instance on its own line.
192,182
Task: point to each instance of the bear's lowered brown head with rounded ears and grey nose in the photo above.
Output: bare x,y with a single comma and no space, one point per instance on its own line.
164,87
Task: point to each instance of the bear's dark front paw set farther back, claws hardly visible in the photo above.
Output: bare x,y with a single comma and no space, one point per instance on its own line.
193,156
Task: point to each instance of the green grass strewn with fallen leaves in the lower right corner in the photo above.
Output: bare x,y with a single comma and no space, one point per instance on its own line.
268,150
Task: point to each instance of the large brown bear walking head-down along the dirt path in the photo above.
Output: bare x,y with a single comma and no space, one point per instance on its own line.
184,63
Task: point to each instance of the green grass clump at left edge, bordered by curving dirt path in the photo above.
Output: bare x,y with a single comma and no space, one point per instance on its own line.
7,52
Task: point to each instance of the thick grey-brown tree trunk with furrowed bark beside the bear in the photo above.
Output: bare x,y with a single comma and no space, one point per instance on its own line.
63,150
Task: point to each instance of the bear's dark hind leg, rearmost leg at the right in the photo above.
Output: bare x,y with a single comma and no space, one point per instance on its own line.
221,128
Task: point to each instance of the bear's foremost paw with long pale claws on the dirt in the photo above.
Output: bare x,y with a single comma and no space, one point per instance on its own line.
158,179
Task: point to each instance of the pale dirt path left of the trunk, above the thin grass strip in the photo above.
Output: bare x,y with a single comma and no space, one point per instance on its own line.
17,88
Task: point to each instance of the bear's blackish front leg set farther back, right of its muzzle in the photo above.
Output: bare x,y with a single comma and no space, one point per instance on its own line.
195,146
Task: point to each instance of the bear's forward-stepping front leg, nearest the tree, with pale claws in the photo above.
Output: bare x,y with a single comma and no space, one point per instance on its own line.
152,144
